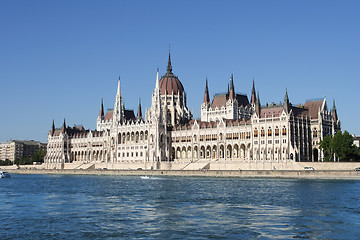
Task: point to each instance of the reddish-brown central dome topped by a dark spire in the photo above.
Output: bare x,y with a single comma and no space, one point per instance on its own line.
169,83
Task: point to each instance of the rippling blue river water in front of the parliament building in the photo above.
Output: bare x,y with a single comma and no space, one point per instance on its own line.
130,207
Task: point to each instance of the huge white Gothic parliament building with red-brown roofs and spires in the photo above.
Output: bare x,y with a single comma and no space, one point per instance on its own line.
231,129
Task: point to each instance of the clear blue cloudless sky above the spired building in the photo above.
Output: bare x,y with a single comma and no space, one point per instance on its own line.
59,58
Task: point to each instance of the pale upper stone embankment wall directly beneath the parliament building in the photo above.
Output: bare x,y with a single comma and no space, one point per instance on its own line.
204,165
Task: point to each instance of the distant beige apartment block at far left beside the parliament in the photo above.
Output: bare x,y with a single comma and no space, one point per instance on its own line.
17,149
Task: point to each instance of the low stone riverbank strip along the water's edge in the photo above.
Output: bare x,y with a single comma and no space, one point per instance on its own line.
331,174
